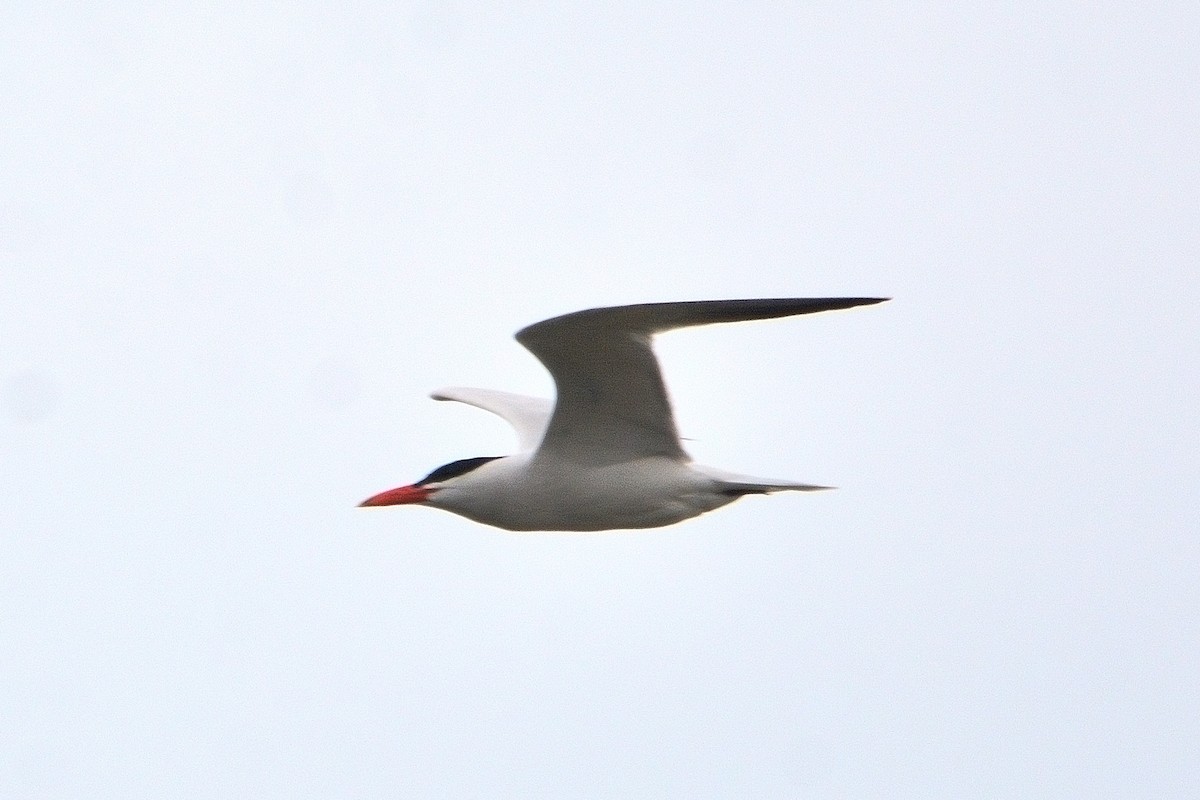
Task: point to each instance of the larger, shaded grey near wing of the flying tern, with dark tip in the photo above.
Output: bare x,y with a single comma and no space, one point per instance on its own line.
613,405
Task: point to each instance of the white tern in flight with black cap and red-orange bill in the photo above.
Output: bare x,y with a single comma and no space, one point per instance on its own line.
605,455
